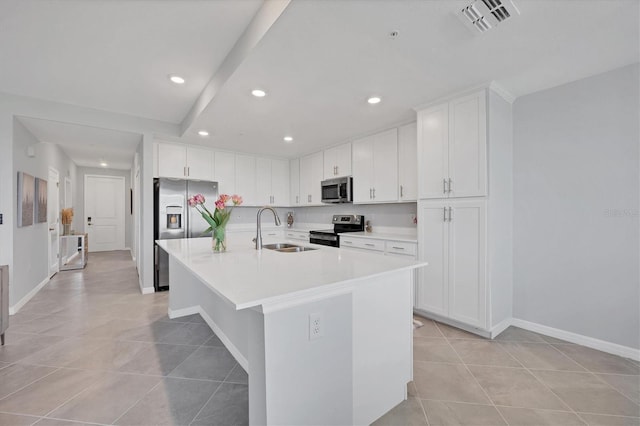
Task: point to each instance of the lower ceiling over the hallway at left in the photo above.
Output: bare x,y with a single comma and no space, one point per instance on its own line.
87,146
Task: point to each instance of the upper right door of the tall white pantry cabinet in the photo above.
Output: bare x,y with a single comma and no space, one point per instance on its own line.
468,146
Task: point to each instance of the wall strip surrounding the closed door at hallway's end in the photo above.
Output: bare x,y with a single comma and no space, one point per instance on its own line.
80,220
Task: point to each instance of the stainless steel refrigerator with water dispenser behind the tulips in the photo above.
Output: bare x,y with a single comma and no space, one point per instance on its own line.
173,218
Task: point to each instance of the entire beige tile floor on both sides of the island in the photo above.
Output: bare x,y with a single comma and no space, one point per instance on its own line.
89,349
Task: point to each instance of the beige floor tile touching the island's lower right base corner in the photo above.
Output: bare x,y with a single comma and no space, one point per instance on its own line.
448,382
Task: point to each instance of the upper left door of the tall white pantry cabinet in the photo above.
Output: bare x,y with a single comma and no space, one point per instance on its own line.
433,155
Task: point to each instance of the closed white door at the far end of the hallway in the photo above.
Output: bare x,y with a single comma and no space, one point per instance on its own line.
104,212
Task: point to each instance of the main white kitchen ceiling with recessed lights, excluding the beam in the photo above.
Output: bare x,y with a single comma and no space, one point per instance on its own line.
318,62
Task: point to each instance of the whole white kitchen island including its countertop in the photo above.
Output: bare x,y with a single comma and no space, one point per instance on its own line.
325,335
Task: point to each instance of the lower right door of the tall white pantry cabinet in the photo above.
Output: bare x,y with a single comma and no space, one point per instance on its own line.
467,289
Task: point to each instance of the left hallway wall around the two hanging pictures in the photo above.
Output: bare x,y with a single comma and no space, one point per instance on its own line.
30,243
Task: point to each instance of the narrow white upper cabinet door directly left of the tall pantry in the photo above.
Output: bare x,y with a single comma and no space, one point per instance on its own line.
407,162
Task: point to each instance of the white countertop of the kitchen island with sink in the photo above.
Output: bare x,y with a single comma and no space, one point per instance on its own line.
247,277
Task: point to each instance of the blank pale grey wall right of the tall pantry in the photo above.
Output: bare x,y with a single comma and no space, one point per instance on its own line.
576,202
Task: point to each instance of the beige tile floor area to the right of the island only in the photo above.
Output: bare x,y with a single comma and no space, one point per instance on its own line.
521,378
